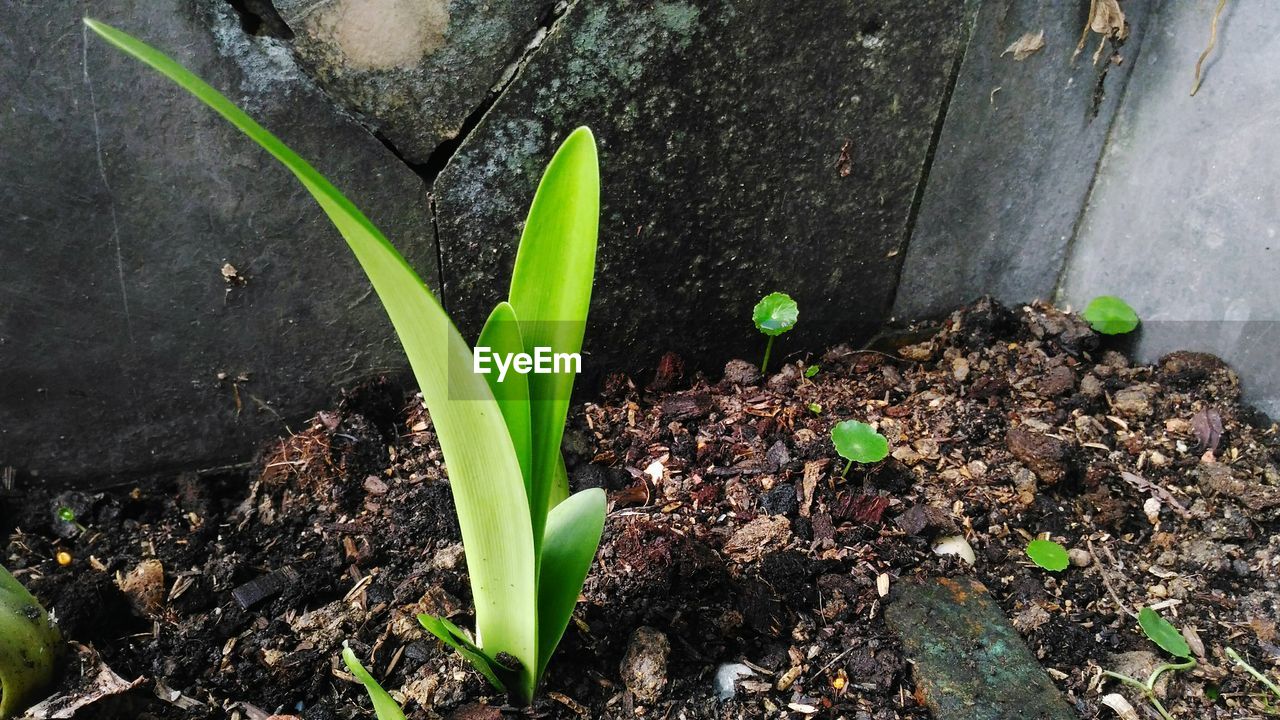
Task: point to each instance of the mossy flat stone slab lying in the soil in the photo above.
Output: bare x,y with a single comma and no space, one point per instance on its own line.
971,664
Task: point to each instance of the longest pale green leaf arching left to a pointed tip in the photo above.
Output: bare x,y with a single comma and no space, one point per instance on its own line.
486,476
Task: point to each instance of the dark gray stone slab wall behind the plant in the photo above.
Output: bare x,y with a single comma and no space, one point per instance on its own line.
870,160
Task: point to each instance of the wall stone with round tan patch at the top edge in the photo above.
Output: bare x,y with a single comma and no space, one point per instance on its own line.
414,69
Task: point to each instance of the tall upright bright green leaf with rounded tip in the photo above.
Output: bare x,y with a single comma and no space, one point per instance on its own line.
551,290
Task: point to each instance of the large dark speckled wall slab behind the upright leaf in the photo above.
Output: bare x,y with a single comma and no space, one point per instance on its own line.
747,147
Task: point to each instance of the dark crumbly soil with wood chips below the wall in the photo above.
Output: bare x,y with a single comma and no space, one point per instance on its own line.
732,539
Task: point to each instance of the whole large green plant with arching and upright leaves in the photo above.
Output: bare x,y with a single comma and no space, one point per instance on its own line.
528,545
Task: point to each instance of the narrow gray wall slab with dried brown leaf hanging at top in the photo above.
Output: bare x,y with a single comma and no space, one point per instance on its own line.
1016,160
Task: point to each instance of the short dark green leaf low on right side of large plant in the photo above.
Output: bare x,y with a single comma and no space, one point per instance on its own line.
573,536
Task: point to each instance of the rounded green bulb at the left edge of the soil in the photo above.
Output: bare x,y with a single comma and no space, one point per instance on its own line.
30,646
